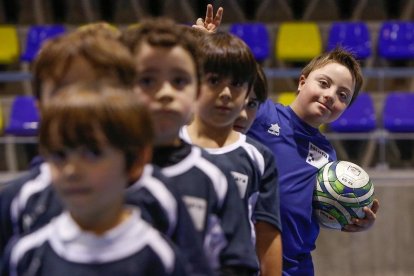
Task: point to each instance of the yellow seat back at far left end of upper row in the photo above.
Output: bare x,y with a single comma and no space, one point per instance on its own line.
9,45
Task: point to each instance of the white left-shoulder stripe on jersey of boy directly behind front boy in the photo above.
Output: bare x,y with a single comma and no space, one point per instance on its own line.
41,182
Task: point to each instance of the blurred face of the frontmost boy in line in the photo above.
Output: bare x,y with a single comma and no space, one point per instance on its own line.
89,182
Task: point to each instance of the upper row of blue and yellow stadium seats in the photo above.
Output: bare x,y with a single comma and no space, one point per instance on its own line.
295,41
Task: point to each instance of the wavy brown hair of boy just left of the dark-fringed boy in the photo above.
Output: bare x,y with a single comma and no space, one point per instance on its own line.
163,32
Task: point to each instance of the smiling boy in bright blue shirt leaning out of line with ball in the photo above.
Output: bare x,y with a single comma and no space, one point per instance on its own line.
327,86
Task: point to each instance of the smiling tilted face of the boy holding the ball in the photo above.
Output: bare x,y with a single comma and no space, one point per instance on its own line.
324,95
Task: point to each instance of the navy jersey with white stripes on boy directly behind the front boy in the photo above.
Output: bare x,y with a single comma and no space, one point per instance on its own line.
30,202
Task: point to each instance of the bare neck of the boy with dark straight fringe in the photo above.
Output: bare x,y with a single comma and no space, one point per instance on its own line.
206,136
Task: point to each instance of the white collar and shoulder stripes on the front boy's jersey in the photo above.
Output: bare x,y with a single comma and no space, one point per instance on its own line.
74,245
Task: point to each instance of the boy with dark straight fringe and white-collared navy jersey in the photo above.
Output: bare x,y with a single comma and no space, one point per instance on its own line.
230,71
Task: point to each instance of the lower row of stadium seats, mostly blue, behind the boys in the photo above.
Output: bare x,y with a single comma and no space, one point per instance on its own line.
359,121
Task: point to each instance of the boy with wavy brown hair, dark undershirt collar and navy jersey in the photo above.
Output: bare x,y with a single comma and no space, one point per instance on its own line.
169,75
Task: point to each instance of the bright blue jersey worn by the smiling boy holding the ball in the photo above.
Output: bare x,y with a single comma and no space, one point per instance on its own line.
300,150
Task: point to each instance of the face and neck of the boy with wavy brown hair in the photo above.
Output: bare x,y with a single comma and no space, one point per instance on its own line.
167,79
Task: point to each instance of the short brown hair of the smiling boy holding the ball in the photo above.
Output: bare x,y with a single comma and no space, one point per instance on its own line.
340,56
